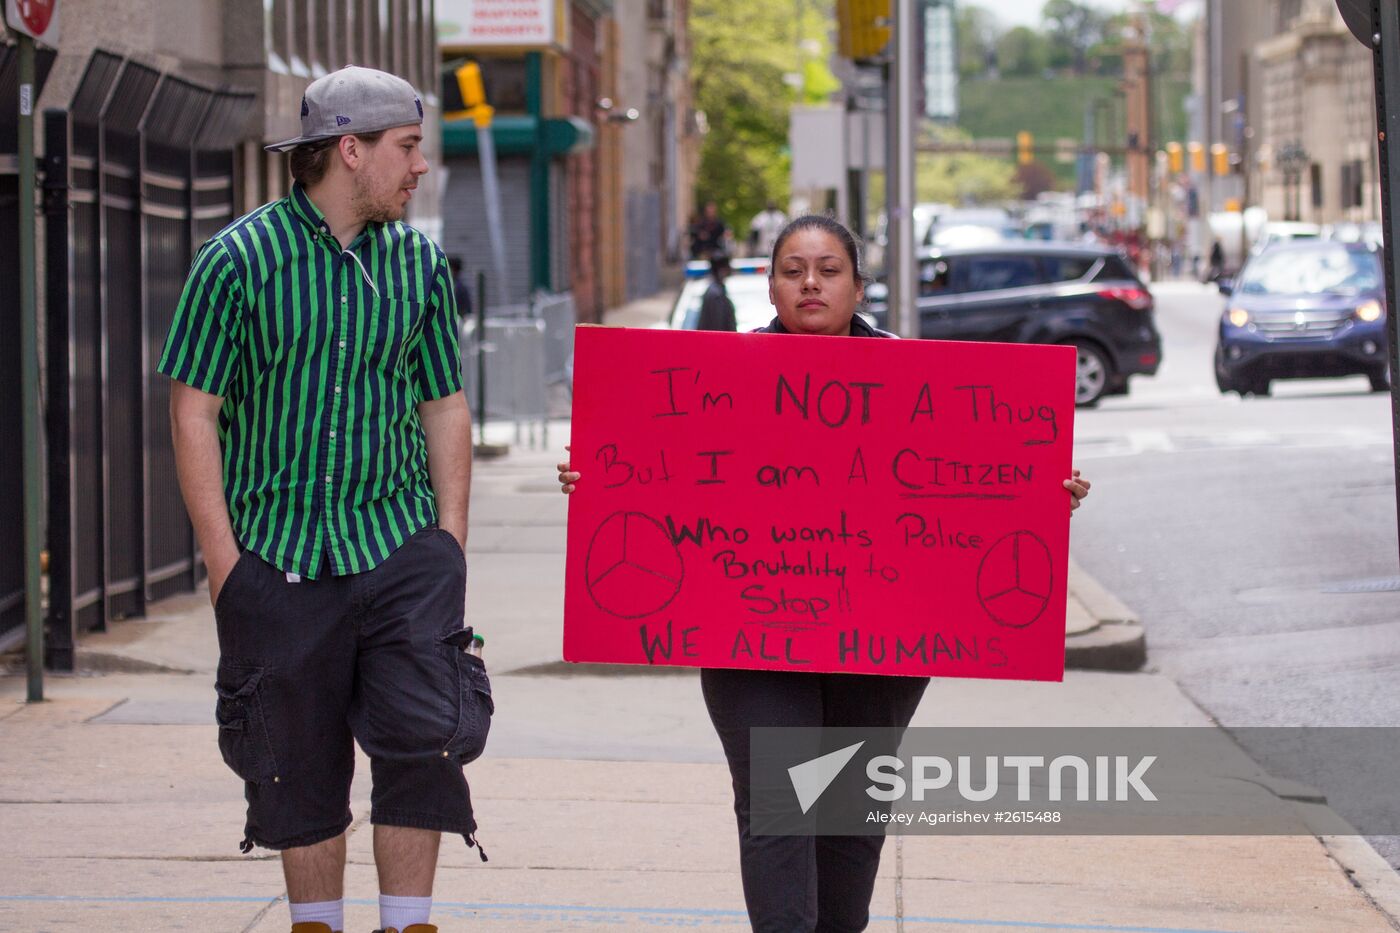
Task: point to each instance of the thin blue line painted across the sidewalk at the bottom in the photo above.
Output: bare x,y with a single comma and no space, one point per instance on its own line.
603,914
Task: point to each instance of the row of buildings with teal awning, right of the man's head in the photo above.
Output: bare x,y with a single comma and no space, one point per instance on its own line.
594,139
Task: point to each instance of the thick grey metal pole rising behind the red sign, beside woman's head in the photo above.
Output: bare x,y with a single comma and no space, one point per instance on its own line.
899,258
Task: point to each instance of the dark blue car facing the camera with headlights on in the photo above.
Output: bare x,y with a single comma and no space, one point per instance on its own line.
1304,310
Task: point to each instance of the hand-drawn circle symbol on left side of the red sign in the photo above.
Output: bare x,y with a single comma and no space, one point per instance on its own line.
633,569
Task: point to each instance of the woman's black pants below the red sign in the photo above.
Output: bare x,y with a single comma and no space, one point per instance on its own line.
804,885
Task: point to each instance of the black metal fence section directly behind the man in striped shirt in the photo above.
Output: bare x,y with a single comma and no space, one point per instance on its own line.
150,177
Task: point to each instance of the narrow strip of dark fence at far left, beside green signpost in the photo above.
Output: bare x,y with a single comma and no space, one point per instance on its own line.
12,427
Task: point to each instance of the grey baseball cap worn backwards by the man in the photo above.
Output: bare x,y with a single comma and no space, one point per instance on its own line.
353,100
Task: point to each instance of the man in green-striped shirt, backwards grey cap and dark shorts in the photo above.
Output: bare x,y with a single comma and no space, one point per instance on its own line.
324,452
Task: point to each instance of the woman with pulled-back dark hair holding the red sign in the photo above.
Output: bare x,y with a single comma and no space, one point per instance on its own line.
808,883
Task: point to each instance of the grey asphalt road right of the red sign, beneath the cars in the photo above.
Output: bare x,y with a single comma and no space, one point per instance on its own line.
1255,537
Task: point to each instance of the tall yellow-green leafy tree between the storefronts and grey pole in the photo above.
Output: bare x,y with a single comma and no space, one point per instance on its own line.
741,60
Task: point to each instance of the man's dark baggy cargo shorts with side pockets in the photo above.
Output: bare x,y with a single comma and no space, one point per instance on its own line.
309,669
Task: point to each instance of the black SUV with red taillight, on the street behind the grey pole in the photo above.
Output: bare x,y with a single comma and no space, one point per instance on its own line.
1020,292
